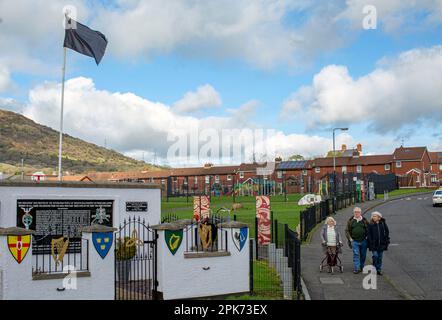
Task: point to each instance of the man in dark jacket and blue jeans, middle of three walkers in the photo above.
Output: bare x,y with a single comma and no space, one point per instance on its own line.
356,233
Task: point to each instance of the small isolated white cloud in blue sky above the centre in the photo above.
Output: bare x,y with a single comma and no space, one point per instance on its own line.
204,97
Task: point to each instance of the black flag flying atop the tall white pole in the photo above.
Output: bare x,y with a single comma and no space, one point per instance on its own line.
89,42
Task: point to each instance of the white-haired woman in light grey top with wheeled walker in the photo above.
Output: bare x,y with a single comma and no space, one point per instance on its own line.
331,241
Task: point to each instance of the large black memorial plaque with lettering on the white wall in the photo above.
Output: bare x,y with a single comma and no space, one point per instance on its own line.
57,218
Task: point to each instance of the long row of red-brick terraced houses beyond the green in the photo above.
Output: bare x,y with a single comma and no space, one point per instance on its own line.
413,166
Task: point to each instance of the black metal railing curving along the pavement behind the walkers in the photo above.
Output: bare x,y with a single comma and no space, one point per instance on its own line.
317,213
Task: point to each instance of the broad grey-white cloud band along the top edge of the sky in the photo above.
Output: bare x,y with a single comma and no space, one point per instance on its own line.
265,34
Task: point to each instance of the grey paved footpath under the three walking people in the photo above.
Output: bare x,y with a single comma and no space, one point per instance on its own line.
348,286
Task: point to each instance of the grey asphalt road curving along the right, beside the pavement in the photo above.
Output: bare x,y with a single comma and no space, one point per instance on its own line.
413,262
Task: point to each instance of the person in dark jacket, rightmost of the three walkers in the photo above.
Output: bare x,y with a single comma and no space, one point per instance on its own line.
378,239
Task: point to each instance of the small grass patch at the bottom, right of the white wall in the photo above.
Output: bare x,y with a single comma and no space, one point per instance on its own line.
266,284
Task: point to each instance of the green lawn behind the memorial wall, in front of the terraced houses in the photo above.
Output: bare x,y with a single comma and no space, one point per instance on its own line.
284,212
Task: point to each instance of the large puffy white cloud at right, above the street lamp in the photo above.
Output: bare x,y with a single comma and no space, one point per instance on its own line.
400,91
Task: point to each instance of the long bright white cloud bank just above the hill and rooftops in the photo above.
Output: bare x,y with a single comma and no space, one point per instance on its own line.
134,125
